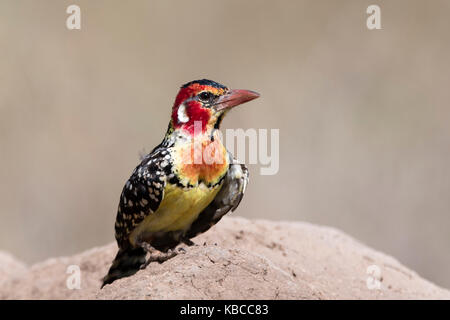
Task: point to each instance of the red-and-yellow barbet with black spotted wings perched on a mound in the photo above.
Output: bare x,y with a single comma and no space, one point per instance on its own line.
184,186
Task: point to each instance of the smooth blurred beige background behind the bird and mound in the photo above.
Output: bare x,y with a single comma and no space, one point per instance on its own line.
363,115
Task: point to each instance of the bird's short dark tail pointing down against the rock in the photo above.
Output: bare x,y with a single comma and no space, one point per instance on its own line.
126,263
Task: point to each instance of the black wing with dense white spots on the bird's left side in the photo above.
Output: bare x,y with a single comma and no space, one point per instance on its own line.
142,194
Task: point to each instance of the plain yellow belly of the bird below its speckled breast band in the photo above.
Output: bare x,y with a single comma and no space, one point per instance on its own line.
177,211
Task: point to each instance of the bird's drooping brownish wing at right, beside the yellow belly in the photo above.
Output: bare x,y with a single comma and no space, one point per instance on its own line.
228,198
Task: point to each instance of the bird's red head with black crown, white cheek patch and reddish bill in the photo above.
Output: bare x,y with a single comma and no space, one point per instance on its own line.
205,102
